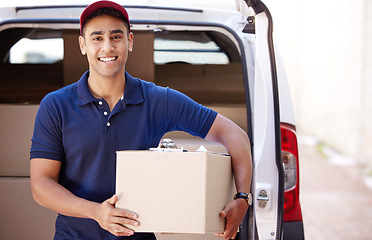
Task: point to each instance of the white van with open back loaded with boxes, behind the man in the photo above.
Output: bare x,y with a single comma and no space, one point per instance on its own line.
220,53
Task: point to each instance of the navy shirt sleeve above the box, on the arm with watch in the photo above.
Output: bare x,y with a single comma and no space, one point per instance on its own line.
184,114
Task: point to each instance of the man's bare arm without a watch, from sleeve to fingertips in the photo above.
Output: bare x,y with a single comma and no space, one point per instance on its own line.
50,194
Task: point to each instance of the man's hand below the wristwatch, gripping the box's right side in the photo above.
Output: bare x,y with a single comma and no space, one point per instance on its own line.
234,213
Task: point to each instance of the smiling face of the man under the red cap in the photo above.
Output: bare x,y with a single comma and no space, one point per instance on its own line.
106,44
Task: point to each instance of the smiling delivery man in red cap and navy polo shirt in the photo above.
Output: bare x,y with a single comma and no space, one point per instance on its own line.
79,128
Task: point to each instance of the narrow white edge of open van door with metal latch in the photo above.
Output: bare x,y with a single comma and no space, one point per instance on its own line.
268,180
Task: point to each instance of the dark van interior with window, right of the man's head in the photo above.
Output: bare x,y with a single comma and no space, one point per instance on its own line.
206,66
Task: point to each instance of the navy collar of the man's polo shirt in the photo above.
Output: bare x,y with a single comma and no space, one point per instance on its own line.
132,93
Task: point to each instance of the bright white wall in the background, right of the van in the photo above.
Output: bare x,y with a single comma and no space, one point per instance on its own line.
327,51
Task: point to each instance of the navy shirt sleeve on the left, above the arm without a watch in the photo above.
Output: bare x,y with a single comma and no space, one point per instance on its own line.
47,136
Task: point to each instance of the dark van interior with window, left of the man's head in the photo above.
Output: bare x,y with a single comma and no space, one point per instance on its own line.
30,64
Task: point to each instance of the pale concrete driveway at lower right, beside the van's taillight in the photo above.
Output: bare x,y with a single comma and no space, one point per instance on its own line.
336,202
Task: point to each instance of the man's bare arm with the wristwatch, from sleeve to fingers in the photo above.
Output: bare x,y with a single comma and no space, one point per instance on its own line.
237,143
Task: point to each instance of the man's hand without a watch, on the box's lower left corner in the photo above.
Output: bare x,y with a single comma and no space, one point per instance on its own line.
115,220
